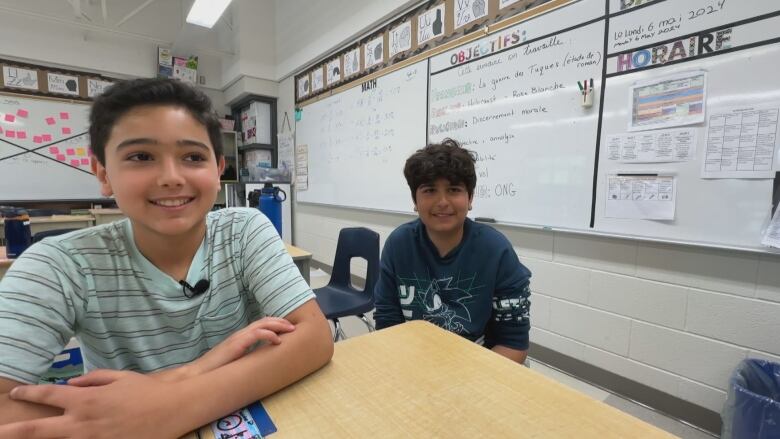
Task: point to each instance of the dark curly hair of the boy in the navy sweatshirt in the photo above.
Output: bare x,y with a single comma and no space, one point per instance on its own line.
441,160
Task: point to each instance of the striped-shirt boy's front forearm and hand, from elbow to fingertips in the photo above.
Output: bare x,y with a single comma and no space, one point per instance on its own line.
134,403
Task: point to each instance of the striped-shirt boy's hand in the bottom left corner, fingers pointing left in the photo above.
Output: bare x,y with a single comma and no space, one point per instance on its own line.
129,405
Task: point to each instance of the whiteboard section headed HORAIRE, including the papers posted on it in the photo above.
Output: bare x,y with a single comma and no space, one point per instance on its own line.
733,46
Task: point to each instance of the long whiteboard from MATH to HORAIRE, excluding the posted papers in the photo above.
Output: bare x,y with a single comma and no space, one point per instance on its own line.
548,165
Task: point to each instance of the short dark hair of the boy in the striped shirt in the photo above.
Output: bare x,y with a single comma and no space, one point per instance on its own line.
123,96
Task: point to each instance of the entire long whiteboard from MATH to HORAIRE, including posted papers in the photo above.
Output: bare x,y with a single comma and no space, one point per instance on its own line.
675,141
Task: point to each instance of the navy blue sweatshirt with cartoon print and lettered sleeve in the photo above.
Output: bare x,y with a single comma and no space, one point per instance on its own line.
479,290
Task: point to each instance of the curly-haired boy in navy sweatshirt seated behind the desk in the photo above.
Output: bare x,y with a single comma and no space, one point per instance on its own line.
445,268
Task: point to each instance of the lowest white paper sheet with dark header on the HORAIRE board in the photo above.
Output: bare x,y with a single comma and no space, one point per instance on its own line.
641,197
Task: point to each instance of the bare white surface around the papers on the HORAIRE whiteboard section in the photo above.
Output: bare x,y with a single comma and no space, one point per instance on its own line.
725,212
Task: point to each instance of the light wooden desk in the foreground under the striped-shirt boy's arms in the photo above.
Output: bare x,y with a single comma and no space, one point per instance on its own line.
418,381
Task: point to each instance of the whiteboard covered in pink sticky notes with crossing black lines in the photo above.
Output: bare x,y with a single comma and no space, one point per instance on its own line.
44,150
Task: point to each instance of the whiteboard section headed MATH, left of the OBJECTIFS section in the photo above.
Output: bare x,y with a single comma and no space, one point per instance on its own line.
359,140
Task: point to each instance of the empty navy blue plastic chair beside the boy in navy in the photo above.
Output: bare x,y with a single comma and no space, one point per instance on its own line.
339,298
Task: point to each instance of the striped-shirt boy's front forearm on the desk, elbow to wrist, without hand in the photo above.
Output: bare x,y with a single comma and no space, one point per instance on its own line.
261,373
